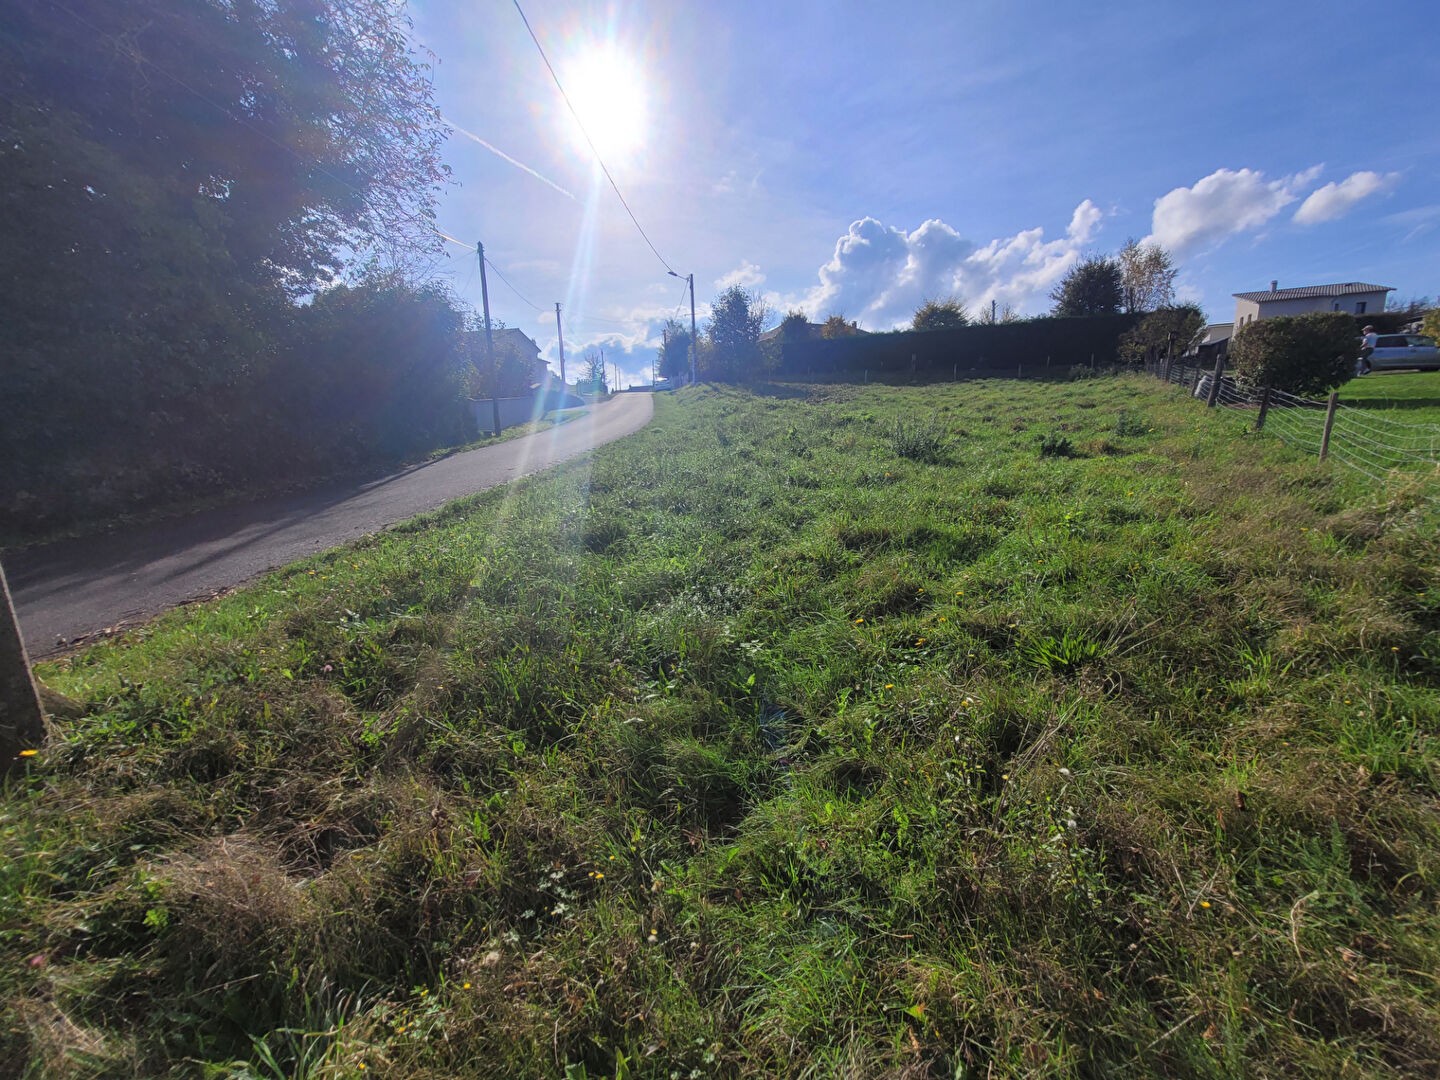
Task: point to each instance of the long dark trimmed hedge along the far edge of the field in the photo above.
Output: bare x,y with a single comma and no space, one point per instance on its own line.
1003,349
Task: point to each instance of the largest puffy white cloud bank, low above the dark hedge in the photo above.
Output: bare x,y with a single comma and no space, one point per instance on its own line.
882,274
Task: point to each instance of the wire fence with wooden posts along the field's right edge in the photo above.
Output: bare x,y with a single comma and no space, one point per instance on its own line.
1366,440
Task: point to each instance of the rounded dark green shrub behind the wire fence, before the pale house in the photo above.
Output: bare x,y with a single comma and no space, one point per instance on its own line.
1305,355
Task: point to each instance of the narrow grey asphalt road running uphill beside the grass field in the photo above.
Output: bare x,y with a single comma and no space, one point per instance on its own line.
74,590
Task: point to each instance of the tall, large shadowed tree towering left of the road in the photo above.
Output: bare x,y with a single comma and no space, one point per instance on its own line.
174,178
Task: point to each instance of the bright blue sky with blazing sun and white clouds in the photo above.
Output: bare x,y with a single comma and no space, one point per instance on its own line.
859,158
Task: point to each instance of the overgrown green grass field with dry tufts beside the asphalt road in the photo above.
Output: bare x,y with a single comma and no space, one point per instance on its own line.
970,731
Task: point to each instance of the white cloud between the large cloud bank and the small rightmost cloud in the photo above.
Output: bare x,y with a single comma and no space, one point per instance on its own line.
1222,205
